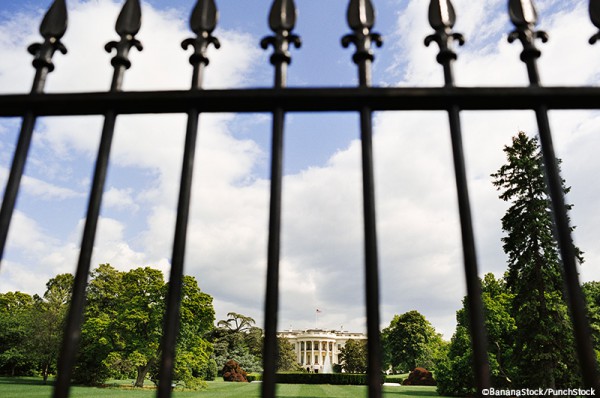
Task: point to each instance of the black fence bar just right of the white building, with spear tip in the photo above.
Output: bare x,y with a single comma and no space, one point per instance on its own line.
361,18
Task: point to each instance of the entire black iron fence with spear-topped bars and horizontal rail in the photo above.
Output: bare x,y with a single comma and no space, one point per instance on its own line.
278,100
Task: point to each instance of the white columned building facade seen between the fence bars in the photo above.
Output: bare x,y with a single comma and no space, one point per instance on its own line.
317,350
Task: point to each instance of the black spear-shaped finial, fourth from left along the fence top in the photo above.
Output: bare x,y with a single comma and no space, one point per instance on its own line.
282,20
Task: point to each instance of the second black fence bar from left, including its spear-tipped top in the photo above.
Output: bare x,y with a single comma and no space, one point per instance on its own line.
127,26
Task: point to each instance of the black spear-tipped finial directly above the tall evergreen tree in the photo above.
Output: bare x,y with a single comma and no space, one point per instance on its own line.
524,16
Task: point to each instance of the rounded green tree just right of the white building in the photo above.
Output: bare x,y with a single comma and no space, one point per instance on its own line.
411,341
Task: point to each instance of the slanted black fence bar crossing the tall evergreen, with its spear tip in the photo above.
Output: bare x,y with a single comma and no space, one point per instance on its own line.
524,16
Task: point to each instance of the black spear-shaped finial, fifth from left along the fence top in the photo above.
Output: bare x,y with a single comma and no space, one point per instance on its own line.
361,18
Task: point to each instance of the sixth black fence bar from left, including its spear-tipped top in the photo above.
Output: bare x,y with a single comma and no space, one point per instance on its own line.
442,18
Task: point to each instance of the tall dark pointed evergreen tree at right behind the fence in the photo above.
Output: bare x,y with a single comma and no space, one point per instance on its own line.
544,350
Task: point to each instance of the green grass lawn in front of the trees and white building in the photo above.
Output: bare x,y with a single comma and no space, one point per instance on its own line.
33,388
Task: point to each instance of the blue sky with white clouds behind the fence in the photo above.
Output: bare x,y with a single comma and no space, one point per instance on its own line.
322,249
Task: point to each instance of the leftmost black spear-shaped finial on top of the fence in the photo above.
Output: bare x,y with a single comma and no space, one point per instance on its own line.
52,29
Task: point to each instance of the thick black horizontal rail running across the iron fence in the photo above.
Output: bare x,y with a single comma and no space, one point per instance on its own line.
303,100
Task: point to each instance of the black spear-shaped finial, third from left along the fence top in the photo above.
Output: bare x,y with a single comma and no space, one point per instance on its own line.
202,22
